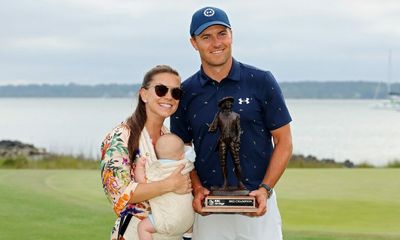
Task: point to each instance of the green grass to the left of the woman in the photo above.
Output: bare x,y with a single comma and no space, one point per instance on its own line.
53,204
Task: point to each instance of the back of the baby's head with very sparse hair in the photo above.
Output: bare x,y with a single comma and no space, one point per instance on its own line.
170,146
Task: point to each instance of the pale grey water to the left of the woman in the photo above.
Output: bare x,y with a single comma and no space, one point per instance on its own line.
71,126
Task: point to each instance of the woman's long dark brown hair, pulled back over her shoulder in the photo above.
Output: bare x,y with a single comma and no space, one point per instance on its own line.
138,119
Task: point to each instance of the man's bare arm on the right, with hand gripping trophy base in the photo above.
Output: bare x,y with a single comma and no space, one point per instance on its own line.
281,155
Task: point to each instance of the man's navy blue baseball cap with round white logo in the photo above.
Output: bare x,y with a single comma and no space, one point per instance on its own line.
205,17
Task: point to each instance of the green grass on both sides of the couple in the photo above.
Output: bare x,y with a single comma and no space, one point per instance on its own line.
316,204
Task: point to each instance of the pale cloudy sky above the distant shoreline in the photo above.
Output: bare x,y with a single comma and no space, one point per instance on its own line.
117,41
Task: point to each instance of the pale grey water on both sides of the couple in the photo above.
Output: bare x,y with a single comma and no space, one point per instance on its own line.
338,129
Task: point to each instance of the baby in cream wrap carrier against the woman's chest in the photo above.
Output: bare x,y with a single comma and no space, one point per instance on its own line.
172,214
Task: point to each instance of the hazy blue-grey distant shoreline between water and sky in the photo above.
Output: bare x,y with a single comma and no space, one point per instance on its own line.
291,90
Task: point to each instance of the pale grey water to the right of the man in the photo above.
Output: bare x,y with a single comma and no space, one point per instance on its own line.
346,129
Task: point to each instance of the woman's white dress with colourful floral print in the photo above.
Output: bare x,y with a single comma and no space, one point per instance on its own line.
118,176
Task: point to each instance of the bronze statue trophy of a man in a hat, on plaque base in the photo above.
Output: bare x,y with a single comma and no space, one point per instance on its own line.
228,198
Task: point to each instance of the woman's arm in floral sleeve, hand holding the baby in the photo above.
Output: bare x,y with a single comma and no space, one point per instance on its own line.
118,174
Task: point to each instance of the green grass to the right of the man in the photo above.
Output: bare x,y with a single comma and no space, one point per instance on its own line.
340,203
